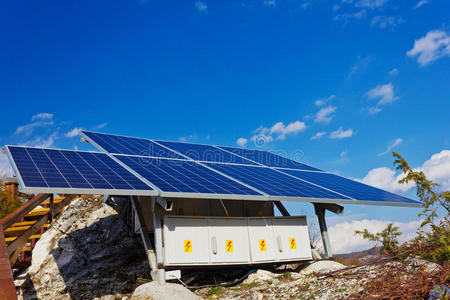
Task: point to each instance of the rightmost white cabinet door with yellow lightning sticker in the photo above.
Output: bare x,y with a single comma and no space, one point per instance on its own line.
291,238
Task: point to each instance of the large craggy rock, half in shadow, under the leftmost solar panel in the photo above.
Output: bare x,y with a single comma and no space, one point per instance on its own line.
86,253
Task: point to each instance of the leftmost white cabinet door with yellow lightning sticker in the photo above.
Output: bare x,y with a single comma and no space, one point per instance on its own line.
186,241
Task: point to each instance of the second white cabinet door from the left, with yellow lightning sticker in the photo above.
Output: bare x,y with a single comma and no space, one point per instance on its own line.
228,240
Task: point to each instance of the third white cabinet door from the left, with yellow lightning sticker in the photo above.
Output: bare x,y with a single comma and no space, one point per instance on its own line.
262,244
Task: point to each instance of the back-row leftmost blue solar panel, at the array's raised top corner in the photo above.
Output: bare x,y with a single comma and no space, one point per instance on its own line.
128,145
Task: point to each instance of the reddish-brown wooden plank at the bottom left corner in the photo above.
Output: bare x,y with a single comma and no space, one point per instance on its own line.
7,288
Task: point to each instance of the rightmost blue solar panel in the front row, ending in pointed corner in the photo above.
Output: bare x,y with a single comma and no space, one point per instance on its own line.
353,189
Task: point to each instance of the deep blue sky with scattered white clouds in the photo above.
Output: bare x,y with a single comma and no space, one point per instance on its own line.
349,80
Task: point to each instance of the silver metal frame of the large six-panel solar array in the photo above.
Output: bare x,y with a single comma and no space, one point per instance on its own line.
265,196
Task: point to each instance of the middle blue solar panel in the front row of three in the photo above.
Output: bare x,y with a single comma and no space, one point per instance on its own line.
274,183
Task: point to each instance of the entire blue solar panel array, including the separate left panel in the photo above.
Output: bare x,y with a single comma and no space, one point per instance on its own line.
175,169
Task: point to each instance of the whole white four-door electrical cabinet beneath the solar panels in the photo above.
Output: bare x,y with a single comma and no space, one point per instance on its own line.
191,241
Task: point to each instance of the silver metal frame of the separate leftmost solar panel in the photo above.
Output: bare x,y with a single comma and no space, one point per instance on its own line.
55,190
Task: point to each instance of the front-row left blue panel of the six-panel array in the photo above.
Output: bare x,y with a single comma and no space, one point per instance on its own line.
183,176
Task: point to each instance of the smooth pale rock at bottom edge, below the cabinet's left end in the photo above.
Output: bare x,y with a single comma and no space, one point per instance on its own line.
165,291
